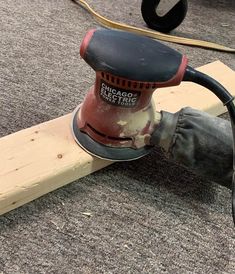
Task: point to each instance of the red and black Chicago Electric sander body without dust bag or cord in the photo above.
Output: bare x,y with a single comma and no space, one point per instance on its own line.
117,117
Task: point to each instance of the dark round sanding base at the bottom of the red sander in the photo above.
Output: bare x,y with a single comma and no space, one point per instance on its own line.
105,152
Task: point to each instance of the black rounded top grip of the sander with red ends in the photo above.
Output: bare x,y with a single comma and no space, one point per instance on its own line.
132,56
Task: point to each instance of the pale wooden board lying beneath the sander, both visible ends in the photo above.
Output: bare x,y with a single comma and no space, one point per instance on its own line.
45,157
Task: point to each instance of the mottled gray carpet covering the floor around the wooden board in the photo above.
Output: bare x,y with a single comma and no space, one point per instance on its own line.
147,216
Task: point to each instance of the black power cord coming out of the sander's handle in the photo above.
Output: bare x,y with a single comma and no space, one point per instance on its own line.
226,98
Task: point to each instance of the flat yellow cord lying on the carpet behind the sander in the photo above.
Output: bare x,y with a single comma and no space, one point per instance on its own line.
153,34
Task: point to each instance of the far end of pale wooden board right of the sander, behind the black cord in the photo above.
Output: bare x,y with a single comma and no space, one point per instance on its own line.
193,95
